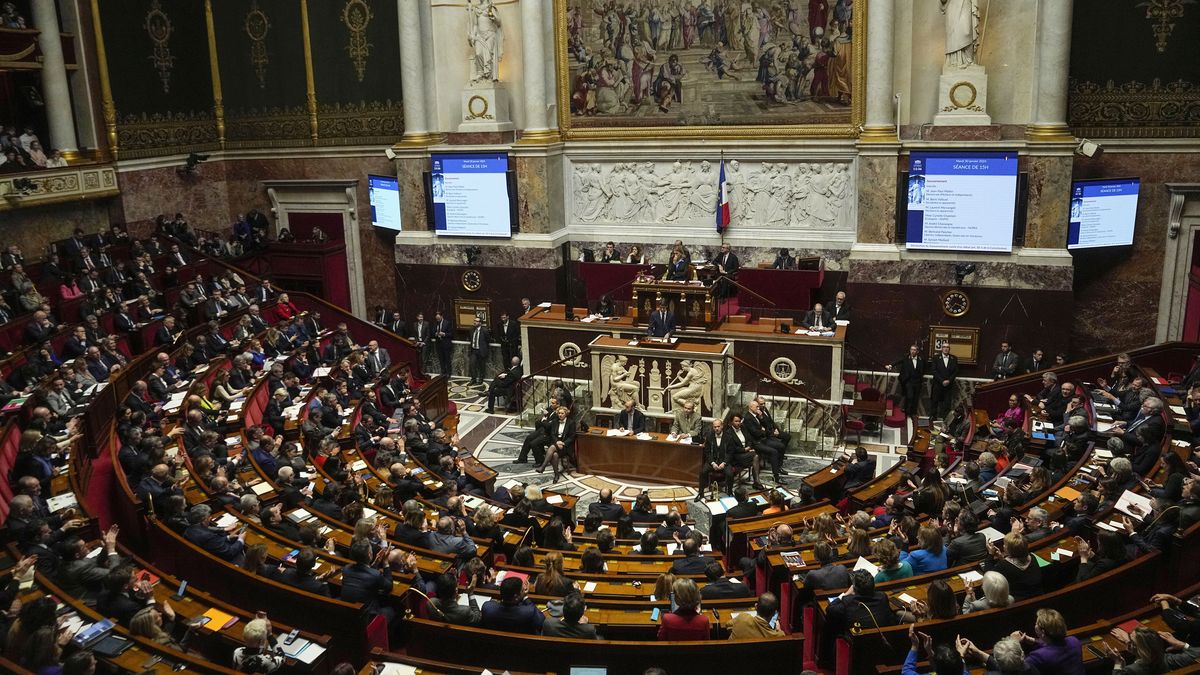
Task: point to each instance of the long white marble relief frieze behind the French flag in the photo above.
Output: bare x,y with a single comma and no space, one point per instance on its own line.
765,195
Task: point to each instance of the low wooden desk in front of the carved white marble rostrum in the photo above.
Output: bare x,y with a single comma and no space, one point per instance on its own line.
657,461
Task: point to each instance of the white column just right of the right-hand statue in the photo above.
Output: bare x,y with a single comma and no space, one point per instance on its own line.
1054,59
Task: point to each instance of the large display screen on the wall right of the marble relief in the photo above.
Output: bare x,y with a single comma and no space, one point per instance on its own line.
962,201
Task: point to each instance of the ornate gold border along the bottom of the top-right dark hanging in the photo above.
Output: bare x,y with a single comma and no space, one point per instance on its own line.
1136,110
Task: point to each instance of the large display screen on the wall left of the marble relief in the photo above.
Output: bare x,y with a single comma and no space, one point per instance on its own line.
470,195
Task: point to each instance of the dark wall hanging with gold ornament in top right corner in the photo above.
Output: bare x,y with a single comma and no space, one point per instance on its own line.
1136,69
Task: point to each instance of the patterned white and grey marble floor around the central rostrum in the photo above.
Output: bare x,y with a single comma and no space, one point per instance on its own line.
496,441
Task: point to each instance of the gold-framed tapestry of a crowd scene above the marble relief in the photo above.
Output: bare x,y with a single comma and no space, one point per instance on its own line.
711,67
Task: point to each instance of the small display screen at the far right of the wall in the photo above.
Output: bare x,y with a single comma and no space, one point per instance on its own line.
1102,213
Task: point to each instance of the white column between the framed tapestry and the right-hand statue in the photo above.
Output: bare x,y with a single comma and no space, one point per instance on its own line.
880,126
